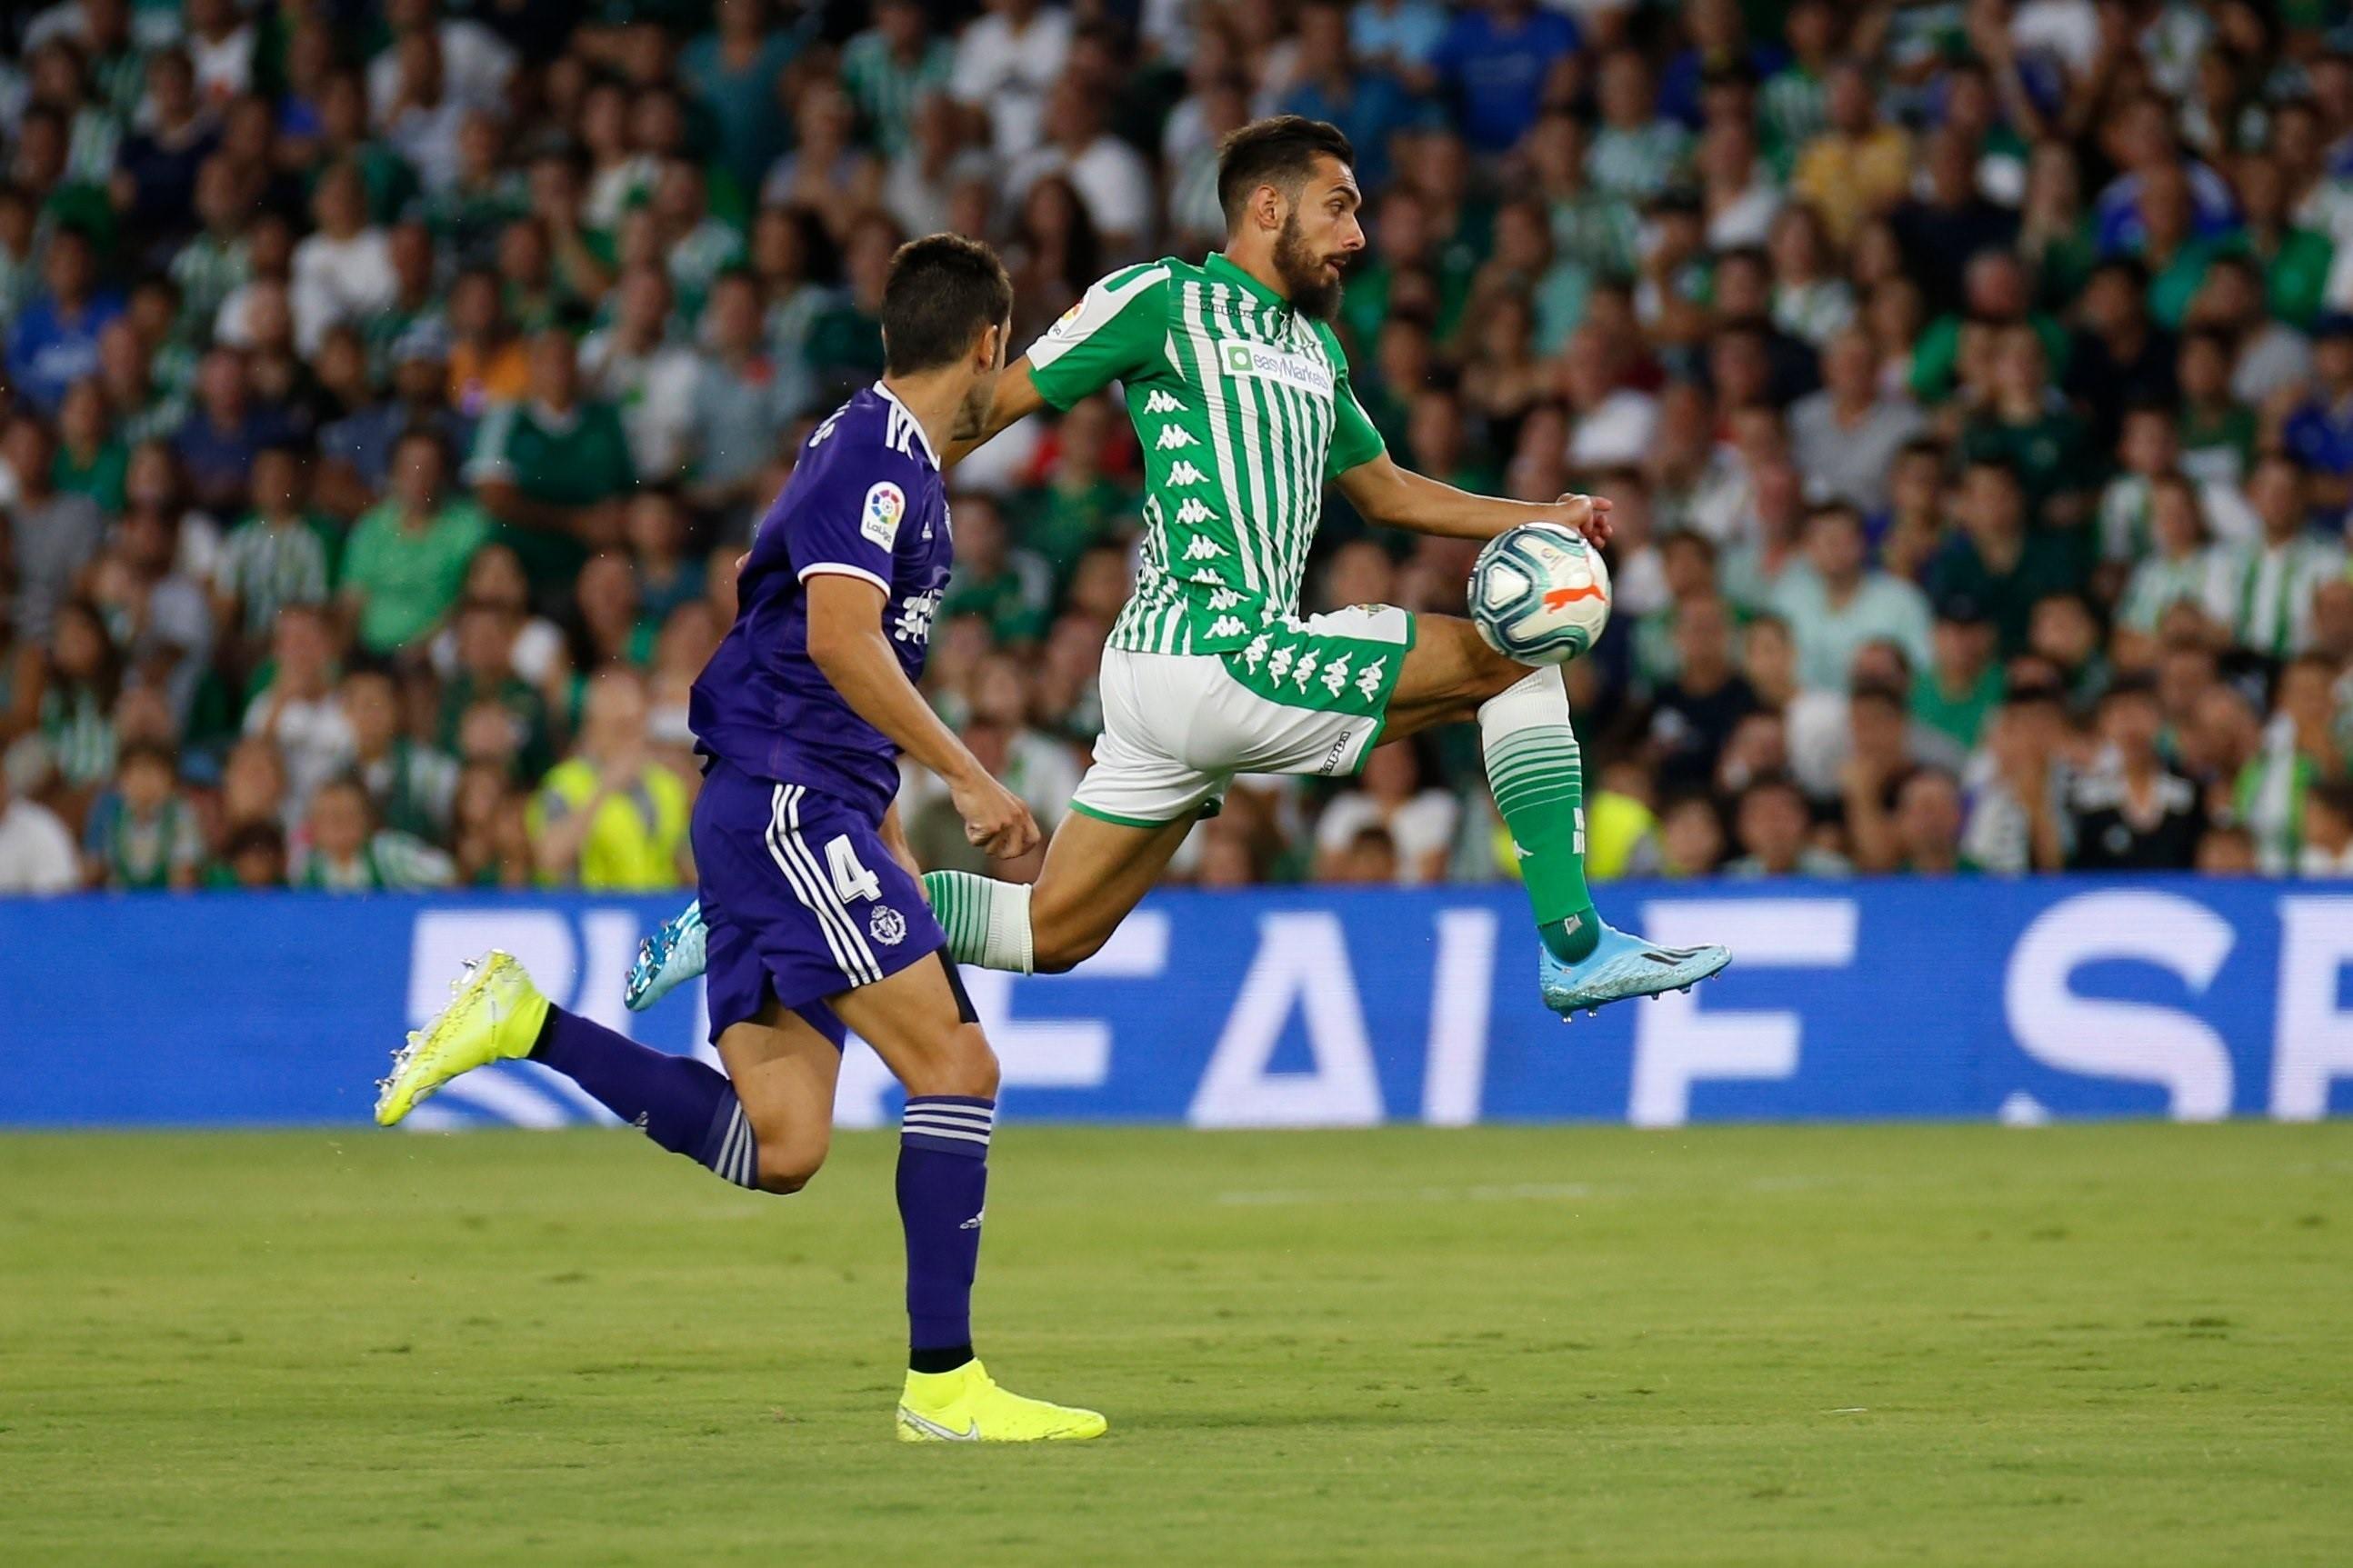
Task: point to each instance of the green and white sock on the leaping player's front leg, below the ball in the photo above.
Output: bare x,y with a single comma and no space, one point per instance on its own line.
1540,786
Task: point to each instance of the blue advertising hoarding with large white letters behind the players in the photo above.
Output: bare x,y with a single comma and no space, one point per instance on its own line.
1286,1007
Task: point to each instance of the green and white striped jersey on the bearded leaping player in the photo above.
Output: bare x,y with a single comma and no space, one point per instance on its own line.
1244,410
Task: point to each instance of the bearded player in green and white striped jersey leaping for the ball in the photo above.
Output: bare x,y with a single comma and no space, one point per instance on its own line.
1244,408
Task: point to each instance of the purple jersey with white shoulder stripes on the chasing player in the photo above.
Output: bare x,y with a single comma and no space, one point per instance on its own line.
865,502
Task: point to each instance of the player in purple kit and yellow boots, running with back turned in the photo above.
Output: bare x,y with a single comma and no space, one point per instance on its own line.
815,906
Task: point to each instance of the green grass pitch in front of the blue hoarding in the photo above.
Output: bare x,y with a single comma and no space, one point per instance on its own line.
1502,1346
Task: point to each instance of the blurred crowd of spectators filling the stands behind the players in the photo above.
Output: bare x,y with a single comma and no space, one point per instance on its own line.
392,387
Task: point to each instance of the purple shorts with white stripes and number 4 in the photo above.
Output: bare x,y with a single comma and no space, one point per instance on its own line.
801,899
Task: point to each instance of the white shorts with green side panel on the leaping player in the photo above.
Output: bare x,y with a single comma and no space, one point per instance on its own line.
1178,728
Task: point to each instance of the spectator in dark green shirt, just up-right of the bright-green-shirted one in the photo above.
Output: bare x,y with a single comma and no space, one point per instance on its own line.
552,469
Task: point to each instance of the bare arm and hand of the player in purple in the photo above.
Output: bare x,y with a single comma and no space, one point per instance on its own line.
853,652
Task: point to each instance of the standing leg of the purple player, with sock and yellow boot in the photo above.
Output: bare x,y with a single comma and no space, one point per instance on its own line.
921,1026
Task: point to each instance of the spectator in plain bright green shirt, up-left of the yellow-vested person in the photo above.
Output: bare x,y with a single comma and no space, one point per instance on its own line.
408,556
